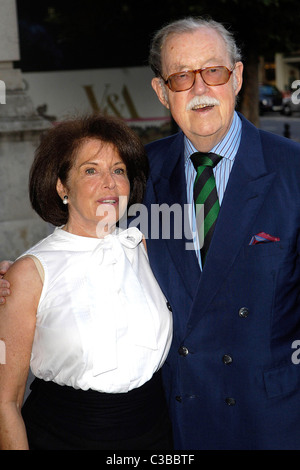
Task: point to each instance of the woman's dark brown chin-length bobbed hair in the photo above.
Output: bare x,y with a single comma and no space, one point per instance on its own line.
56,154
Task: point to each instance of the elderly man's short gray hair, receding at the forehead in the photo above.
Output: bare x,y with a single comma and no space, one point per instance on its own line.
189,25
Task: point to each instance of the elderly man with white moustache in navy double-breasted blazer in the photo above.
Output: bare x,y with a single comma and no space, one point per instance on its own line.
232,376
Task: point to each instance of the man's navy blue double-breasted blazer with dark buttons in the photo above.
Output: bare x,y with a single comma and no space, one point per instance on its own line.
232,376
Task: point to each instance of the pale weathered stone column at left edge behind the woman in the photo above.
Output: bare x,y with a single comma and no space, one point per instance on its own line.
20,130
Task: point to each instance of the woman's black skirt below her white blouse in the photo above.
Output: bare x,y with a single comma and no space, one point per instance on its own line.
62,418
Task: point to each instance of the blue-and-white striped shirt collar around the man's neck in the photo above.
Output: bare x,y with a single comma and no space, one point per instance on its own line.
227,147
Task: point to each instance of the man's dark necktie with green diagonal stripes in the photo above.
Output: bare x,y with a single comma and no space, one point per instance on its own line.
205,193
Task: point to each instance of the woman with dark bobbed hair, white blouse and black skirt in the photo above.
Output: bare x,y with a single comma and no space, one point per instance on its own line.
86,313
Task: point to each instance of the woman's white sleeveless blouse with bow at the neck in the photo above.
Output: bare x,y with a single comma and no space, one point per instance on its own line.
102,320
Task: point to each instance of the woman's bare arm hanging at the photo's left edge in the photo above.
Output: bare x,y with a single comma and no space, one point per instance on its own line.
17,327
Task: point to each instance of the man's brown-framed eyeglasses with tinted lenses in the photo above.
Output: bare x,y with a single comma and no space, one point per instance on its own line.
212,76
